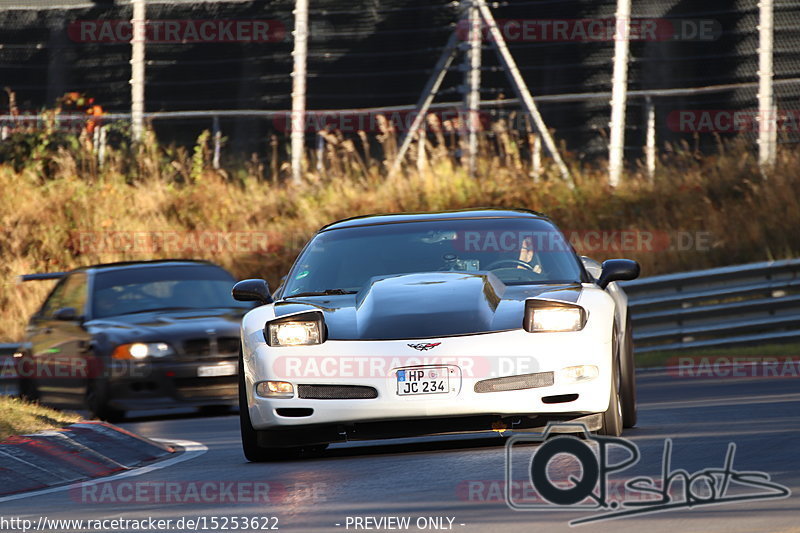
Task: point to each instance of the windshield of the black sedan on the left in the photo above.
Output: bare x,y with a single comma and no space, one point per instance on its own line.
162,287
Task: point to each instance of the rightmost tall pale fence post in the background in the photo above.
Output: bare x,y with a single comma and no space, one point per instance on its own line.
767,136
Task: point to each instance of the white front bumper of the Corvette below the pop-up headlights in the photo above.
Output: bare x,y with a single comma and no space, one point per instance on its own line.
469,359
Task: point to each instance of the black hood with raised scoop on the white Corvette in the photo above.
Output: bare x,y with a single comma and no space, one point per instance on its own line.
427,305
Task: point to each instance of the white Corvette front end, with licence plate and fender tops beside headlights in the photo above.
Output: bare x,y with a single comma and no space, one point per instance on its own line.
506,373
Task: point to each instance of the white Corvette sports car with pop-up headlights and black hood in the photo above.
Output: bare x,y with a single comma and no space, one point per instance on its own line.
413,324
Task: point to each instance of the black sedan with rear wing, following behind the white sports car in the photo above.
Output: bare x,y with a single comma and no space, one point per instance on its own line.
130,336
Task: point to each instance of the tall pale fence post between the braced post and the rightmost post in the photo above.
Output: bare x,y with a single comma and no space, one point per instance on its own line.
619,92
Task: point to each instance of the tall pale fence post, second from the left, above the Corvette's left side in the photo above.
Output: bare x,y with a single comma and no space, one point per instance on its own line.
299,87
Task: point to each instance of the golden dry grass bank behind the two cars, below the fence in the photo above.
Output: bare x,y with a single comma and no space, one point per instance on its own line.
55,195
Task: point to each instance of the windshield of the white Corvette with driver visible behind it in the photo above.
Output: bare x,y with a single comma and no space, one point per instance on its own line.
517,250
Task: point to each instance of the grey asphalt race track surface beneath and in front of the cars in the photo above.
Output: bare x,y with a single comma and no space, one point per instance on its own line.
433,480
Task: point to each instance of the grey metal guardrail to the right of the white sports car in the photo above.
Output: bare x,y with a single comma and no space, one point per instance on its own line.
737,305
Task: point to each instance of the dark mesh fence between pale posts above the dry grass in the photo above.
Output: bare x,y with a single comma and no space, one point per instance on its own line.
236,56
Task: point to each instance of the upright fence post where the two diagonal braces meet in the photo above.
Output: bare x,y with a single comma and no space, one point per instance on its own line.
472,74
